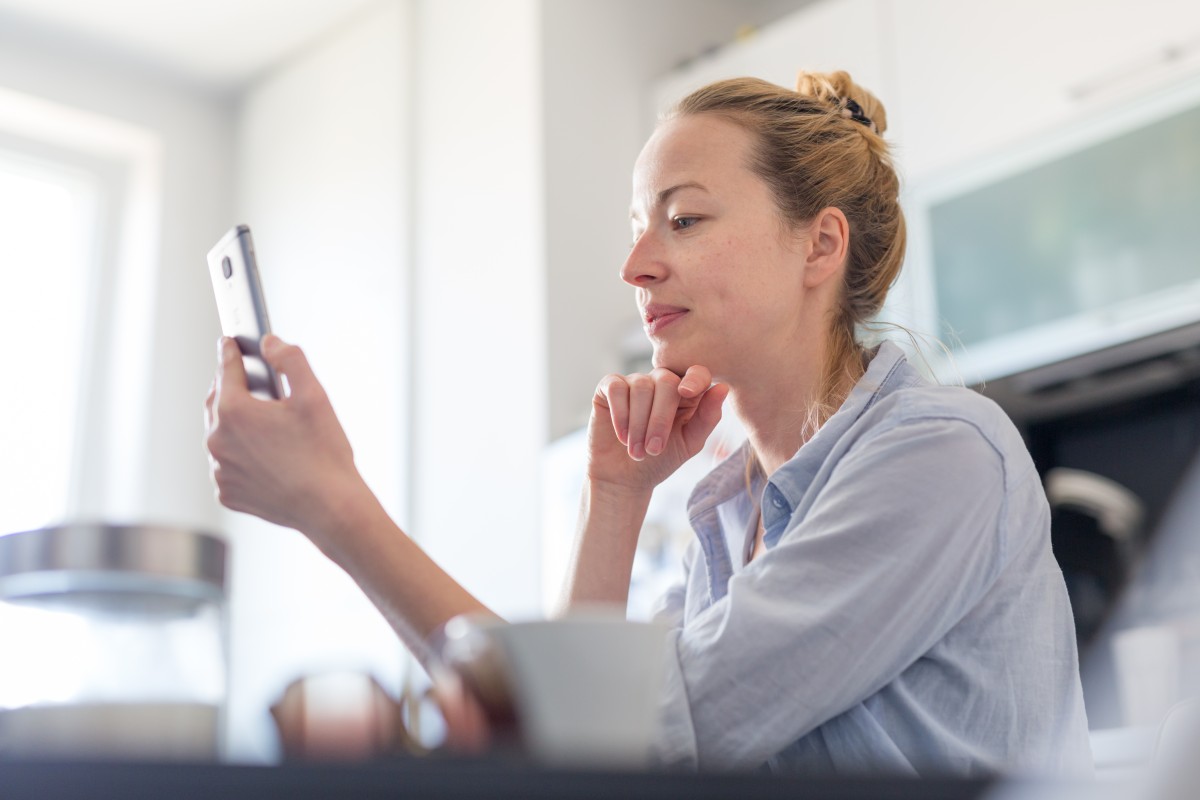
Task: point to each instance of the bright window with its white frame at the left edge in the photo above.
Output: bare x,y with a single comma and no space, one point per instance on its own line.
80,200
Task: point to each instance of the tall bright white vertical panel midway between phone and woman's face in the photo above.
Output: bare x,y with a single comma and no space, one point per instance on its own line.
481,372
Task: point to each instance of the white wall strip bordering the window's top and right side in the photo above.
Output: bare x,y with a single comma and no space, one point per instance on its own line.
196,135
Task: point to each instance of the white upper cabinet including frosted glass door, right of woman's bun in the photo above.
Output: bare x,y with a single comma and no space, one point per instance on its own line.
1019,197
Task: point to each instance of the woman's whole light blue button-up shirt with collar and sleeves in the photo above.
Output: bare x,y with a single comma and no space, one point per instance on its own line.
908,617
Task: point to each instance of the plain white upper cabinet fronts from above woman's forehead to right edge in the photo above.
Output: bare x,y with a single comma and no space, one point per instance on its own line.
964,79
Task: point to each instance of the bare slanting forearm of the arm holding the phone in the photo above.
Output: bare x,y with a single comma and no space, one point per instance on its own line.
413,593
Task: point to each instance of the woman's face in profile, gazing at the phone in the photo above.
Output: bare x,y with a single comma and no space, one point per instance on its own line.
719,278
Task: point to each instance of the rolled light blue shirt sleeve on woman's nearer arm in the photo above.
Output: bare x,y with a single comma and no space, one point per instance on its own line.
903,540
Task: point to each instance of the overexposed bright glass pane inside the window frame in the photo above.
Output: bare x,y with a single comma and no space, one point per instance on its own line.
47,227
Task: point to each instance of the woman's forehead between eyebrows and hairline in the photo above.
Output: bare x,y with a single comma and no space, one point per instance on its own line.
700,148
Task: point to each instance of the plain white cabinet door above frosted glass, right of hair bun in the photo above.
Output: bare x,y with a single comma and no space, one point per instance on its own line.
974,79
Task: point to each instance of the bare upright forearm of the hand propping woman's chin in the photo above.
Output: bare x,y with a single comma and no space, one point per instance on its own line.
603,557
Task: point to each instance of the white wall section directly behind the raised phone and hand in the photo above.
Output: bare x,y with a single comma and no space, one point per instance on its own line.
322,181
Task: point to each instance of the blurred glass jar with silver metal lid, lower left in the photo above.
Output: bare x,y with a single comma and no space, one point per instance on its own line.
113,643
